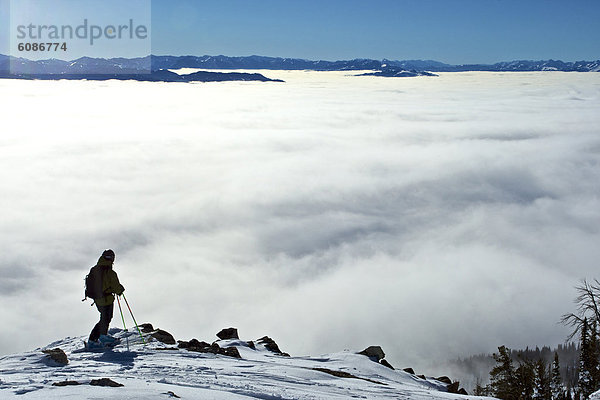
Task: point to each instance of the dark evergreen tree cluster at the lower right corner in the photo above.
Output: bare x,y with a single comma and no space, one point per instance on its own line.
568,372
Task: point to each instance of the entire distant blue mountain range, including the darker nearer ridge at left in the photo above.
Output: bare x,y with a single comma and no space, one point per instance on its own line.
139,68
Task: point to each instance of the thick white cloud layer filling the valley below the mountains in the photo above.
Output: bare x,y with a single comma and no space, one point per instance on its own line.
437,217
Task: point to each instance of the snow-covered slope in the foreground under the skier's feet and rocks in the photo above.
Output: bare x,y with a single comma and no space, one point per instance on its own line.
157,371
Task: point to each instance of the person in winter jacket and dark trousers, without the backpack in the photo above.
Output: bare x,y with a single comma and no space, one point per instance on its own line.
110,287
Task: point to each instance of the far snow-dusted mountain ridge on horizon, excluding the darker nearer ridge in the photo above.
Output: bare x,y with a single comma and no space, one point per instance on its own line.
88,65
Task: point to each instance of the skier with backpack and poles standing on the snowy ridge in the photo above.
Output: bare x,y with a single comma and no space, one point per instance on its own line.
106,284
